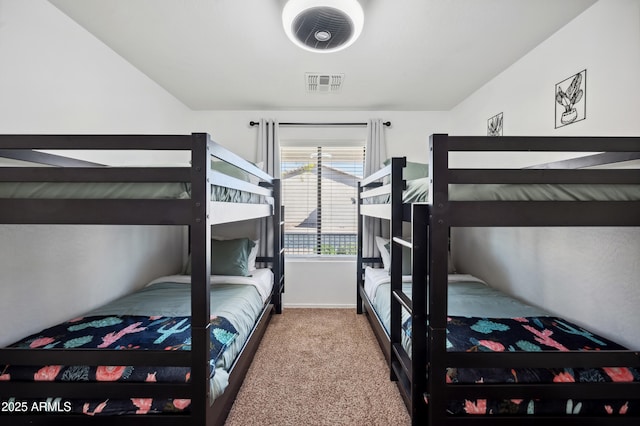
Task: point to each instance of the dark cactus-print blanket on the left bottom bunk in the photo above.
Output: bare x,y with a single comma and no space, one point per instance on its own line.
125,332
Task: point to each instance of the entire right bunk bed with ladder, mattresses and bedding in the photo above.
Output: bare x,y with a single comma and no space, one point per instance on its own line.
428,371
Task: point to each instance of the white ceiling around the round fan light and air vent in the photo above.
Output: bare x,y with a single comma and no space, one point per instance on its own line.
234,55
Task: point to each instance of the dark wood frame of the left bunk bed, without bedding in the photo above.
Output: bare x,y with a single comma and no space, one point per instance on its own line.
196,213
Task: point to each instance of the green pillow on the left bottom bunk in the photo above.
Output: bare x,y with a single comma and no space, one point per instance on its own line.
229,257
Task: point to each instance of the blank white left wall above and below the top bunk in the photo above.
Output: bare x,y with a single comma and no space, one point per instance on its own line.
57,78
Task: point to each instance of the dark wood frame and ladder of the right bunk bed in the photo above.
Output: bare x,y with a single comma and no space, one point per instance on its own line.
422,375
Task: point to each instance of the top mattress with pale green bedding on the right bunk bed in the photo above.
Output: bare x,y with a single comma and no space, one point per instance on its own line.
418,191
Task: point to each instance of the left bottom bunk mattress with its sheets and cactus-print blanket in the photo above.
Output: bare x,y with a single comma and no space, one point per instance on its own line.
155,317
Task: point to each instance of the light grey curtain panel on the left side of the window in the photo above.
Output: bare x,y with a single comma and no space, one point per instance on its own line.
269,161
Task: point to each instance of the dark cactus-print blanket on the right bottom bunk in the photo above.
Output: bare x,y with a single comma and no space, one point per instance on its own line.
471,334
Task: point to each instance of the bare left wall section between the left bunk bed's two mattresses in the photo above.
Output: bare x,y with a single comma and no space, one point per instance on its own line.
53,273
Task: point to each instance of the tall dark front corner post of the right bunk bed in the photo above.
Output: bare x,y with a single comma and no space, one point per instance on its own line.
437,277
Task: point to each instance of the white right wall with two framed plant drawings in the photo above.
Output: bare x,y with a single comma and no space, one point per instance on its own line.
590,276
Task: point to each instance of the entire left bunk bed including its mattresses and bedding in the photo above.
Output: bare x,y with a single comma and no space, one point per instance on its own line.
188,195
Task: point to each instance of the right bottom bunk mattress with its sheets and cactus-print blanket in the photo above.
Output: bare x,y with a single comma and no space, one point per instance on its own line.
484,319
